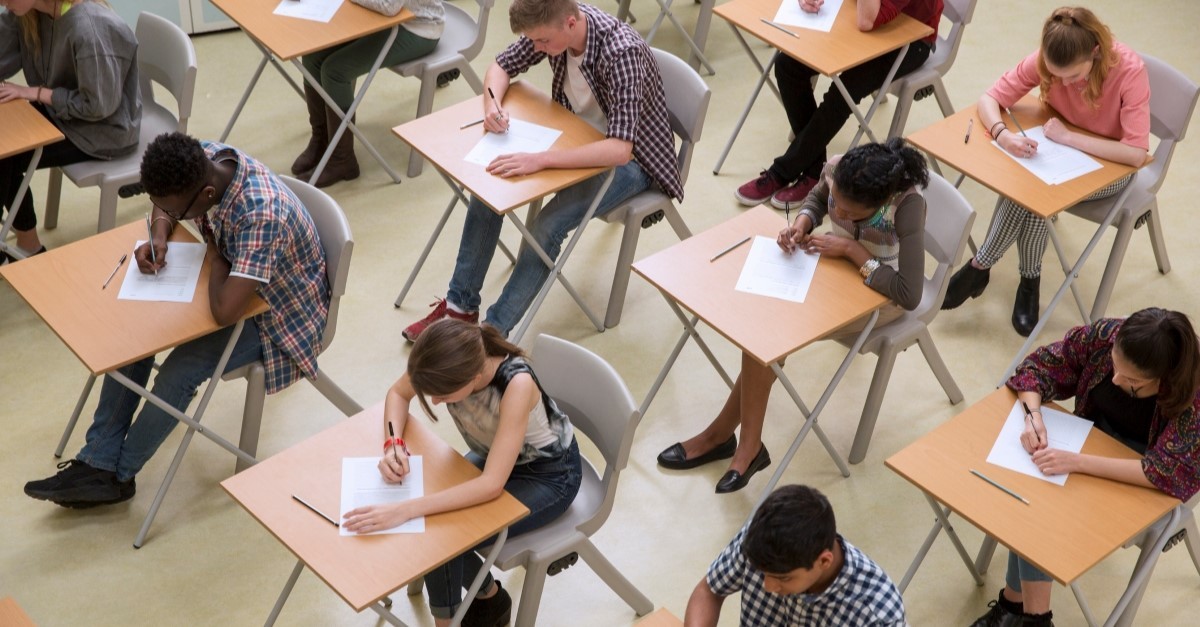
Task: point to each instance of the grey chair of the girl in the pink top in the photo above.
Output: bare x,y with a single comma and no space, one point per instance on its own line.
1173,99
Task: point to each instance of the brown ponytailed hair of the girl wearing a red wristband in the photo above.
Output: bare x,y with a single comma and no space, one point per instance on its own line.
449,354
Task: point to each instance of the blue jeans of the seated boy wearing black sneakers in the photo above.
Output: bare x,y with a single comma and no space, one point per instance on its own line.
116,443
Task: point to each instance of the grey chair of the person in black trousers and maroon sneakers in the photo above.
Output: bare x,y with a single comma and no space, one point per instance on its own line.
931,74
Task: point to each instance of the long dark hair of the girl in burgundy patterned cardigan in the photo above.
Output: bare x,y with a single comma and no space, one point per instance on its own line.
1163,344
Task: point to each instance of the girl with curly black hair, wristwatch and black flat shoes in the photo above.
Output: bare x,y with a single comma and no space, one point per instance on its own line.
873,200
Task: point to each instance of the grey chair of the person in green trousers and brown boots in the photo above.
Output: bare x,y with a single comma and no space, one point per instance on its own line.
460,44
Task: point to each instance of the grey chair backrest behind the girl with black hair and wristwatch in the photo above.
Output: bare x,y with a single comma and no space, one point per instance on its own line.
949,219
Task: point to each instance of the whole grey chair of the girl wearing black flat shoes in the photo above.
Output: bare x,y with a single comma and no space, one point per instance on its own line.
949,222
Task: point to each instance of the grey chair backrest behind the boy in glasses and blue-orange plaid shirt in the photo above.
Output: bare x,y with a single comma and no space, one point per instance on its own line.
334,231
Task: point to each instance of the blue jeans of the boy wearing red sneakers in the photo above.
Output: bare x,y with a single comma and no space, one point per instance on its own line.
561,216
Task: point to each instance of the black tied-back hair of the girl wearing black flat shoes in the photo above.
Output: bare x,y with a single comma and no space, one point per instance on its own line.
872,174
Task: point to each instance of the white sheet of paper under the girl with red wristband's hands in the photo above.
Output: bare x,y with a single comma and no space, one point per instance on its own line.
363,486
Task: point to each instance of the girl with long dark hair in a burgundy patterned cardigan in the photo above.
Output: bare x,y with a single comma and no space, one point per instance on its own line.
1138,380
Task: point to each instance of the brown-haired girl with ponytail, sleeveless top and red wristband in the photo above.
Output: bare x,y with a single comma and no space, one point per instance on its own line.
518,437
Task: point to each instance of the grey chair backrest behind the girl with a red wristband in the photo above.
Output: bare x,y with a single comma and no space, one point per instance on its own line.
598,403
